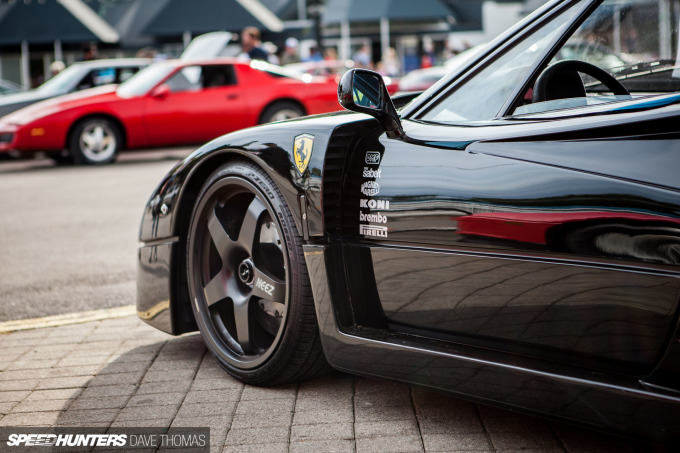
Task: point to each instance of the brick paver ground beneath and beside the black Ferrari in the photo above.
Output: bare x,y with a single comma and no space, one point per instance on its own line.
122,373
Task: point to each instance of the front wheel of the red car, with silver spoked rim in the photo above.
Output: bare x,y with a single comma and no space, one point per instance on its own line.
95,141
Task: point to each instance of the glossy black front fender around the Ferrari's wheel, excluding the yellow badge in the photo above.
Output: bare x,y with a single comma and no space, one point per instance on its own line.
166,217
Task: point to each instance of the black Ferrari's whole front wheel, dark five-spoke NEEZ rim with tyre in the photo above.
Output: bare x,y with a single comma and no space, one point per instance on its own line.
248,280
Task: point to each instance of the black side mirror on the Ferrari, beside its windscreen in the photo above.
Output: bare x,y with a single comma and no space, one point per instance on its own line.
364,91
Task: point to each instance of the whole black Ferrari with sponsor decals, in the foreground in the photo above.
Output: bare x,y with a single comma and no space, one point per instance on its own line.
510,235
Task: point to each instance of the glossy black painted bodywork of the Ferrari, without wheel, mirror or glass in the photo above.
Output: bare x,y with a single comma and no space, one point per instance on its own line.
532,263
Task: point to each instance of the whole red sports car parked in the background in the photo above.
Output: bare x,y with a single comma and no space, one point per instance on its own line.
168,103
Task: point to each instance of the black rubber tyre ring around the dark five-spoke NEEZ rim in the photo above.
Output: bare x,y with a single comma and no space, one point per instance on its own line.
276,206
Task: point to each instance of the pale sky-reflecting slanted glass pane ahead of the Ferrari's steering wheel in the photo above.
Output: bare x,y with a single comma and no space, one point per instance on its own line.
483,96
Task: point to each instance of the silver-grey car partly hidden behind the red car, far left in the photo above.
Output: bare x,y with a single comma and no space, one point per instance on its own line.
76,77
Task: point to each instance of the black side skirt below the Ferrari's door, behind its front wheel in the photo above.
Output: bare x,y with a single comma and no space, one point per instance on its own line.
484,376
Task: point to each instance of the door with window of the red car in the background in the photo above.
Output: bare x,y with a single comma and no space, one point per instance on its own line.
201,102
